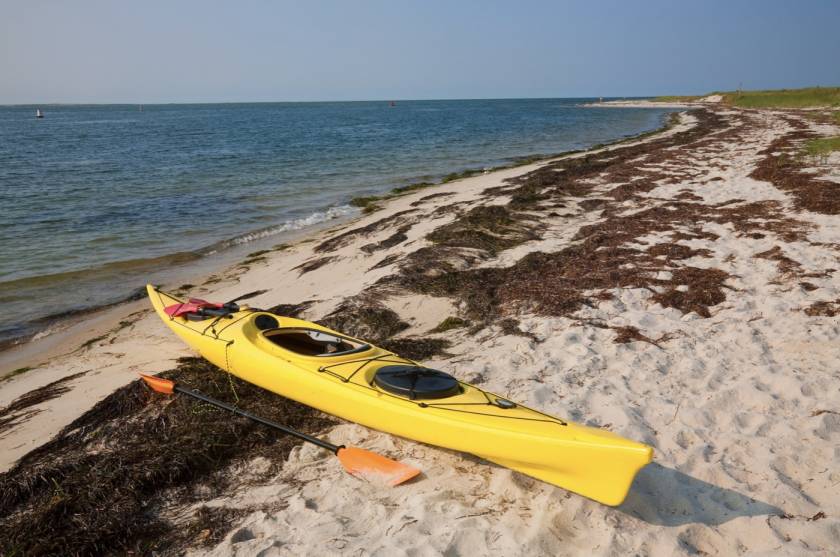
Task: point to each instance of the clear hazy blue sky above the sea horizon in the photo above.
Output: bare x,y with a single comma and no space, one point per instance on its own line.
205,51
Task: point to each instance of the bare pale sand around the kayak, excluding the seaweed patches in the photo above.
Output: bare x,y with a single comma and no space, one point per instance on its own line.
731,404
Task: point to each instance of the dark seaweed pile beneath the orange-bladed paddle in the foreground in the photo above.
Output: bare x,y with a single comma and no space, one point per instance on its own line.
125,476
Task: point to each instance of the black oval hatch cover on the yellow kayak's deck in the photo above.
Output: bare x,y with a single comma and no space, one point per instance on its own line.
416,382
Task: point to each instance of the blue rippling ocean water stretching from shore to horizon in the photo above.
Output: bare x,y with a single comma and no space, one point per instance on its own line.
96,200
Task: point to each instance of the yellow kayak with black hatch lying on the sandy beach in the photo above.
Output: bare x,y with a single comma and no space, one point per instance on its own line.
362,383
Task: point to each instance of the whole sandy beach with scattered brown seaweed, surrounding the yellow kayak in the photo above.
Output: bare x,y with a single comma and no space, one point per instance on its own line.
680,290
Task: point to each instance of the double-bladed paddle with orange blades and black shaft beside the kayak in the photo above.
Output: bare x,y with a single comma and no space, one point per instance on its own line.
358,462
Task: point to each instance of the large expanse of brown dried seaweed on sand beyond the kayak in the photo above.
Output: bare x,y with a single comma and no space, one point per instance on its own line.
606,255
